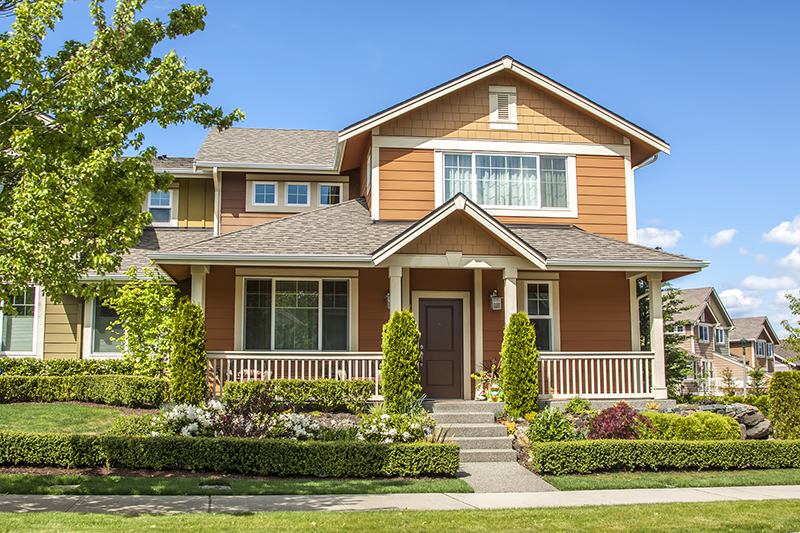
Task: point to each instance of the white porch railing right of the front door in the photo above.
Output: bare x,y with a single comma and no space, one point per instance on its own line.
596,375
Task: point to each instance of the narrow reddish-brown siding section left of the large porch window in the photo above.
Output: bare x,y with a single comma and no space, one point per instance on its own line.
220,302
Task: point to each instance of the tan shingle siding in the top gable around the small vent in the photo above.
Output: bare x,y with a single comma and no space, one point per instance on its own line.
465,114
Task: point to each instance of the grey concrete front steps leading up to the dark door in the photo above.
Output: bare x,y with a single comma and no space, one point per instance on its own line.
472,426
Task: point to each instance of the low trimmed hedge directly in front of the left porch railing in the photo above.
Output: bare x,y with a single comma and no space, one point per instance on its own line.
277,395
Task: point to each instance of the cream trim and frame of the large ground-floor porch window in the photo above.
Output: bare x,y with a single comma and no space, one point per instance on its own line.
241,300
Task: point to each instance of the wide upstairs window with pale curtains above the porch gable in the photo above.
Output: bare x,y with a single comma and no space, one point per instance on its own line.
534,181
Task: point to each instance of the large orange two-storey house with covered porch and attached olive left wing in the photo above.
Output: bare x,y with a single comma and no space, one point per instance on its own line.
496,192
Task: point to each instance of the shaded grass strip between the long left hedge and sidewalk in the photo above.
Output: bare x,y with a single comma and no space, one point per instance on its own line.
38,484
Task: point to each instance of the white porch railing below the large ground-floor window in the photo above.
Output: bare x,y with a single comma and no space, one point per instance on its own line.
248,366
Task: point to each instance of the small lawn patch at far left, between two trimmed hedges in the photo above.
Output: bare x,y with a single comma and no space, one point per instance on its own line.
56,418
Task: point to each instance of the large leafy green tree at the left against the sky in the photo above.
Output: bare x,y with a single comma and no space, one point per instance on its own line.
70,204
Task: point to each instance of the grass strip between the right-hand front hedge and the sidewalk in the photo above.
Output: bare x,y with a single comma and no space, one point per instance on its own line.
660,480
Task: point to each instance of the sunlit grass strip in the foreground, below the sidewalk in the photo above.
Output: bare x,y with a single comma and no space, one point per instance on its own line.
763,516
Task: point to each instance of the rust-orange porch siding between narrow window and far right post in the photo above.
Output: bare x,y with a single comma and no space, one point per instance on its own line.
595,311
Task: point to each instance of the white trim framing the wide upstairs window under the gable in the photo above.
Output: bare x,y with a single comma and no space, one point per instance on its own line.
571,211
